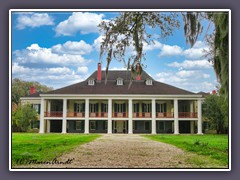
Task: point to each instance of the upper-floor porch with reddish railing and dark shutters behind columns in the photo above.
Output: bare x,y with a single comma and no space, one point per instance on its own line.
124,108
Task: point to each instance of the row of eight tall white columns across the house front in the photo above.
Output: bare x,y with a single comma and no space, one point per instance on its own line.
129,118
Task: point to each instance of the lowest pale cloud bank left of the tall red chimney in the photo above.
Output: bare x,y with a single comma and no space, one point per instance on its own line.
56,77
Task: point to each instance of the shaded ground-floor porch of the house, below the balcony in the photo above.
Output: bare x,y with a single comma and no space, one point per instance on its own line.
121,126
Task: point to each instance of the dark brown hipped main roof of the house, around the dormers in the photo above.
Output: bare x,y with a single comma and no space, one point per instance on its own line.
137,87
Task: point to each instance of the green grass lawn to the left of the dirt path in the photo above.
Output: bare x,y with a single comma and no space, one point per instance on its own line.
44,147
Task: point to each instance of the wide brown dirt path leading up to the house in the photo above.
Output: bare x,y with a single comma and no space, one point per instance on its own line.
123,151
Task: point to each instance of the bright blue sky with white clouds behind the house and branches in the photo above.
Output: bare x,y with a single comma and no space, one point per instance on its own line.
61,48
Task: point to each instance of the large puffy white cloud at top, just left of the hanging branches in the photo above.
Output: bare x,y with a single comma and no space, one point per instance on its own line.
83,22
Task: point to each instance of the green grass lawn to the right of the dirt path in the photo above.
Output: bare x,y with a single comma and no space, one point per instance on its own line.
210,147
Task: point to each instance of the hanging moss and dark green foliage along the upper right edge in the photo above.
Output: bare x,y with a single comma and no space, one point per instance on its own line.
218,42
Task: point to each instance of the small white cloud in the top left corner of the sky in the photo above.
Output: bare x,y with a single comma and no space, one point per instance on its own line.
33,20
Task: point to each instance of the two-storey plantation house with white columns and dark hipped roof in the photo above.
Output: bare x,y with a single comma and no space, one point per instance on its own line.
118,106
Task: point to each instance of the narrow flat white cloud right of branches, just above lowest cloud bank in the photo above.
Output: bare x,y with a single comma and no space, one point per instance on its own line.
188,64
